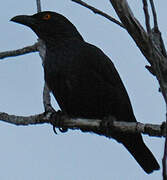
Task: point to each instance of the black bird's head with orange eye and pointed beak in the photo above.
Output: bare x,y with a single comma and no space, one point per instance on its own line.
49,25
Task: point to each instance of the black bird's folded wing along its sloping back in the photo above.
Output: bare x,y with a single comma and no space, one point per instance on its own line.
115,94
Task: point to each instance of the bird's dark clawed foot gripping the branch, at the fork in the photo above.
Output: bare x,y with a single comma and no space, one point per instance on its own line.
56,120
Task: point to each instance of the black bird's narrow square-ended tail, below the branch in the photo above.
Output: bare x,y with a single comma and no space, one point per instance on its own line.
135,145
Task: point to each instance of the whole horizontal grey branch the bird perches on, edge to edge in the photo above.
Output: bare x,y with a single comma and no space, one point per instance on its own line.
88,124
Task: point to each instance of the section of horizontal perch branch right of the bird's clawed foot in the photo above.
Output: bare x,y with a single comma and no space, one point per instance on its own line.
125,127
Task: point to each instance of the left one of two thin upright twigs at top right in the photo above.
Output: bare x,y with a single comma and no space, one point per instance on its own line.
147,17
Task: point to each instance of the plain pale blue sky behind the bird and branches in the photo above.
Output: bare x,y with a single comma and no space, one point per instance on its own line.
35,152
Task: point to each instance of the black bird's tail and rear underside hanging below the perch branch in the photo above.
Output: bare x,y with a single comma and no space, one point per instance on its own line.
136,146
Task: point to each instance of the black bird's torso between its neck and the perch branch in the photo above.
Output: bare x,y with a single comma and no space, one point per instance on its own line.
84,81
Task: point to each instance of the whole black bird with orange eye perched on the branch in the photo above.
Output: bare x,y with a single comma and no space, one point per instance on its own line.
84,80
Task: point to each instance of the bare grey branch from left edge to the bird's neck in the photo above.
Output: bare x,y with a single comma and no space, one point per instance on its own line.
18,52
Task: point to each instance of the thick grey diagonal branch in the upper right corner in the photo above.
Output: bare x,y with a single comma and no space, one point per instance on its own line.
149,48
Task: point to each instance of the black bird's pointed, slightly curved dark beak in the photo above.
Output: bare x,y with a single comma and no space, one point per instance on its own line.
25,20
